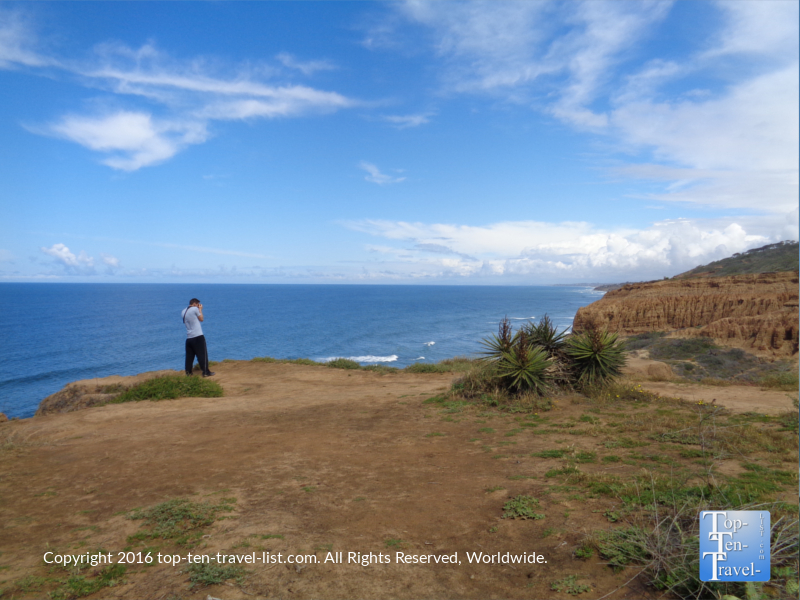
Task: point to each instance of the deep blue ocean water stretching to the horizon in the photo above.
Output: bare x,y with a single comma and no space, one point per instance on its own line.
52,334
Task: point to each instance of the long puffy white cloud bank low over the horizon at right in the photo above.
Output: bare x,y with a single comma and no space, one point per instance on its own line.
572,251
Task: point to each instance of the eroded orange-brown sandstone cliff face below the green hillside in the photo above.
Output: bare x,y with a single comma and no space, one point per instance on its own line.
758,313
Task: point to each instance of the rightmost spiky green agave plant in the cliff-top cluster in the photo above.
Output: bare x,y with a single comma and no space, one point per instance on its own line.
597,356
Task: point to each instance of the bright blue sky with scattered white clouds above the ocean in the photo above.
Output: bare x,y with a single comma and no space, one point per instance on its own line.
498,143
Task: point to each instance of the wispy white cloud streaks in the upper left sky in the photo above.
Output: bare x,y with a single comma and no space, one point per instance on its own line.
190,94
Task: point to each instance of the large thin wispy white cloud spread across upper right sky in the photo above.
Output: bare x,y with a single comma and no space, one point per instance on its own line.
735,143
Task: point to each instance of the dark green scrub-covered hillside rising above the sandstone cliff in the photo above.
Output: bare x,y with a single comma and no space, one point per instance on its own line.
782,256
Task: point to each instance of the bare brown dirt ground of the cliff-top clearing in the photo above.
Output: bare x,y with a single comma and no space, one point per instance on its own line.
319,460
